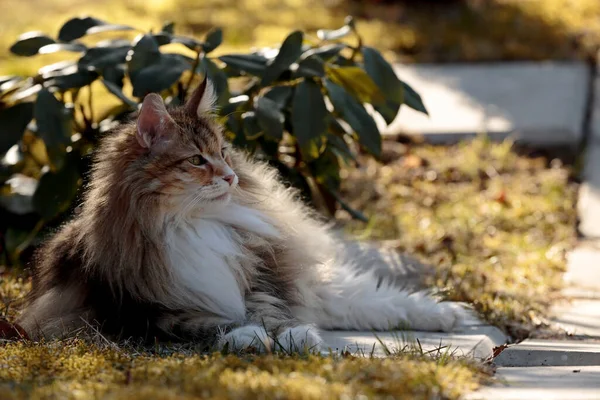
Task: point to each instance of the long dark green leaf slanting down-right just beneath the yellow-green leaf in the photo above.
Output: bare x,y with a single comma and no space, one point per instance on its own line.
356,116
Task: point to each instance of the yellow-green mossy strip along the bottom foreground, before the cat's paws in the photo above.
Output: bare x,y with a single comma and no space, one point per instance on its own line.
77,369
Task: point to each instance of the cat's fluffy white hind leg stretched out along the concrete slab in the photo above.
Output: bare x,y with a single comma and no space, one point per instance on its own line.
355,298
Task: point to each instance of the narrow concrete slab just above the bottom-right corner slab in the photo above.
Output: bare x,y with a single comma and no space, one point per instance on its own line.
541,353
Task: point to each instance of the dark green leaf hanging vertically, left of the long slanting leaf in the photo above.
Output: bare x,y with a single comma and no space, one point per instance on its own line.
309,114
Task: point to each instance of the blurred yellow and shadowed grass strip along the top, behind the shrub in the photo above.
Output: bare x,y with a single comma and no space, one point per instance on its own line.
469,30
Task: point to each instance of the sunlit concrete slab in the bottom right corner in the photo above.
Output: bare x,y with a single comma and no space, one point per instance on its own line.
544,383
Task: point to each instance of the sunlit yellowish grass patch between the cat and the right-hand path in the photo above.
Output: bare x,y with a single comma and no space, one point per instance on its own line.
496,224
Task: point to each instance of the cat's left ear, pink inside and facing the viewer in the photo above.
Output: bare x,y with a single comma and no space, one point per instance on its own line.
154,122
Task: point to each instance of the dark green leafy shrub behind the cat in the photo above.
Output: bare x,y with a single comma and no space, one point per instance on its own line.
299,107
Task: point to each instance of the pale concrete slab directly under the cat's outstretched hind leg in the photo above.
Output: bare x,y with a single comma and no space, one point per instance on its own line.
476,341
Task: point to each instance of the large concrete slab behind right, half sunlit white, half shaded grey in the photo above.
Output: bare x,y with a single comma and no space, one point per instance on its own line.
541,103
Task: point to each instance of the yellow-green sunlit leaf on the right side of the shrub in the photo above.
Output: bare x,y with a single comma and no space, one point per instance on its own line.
357,82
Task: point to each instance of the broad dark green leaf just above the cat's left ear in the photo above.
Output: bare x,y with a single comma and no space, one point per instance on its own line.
160,75
